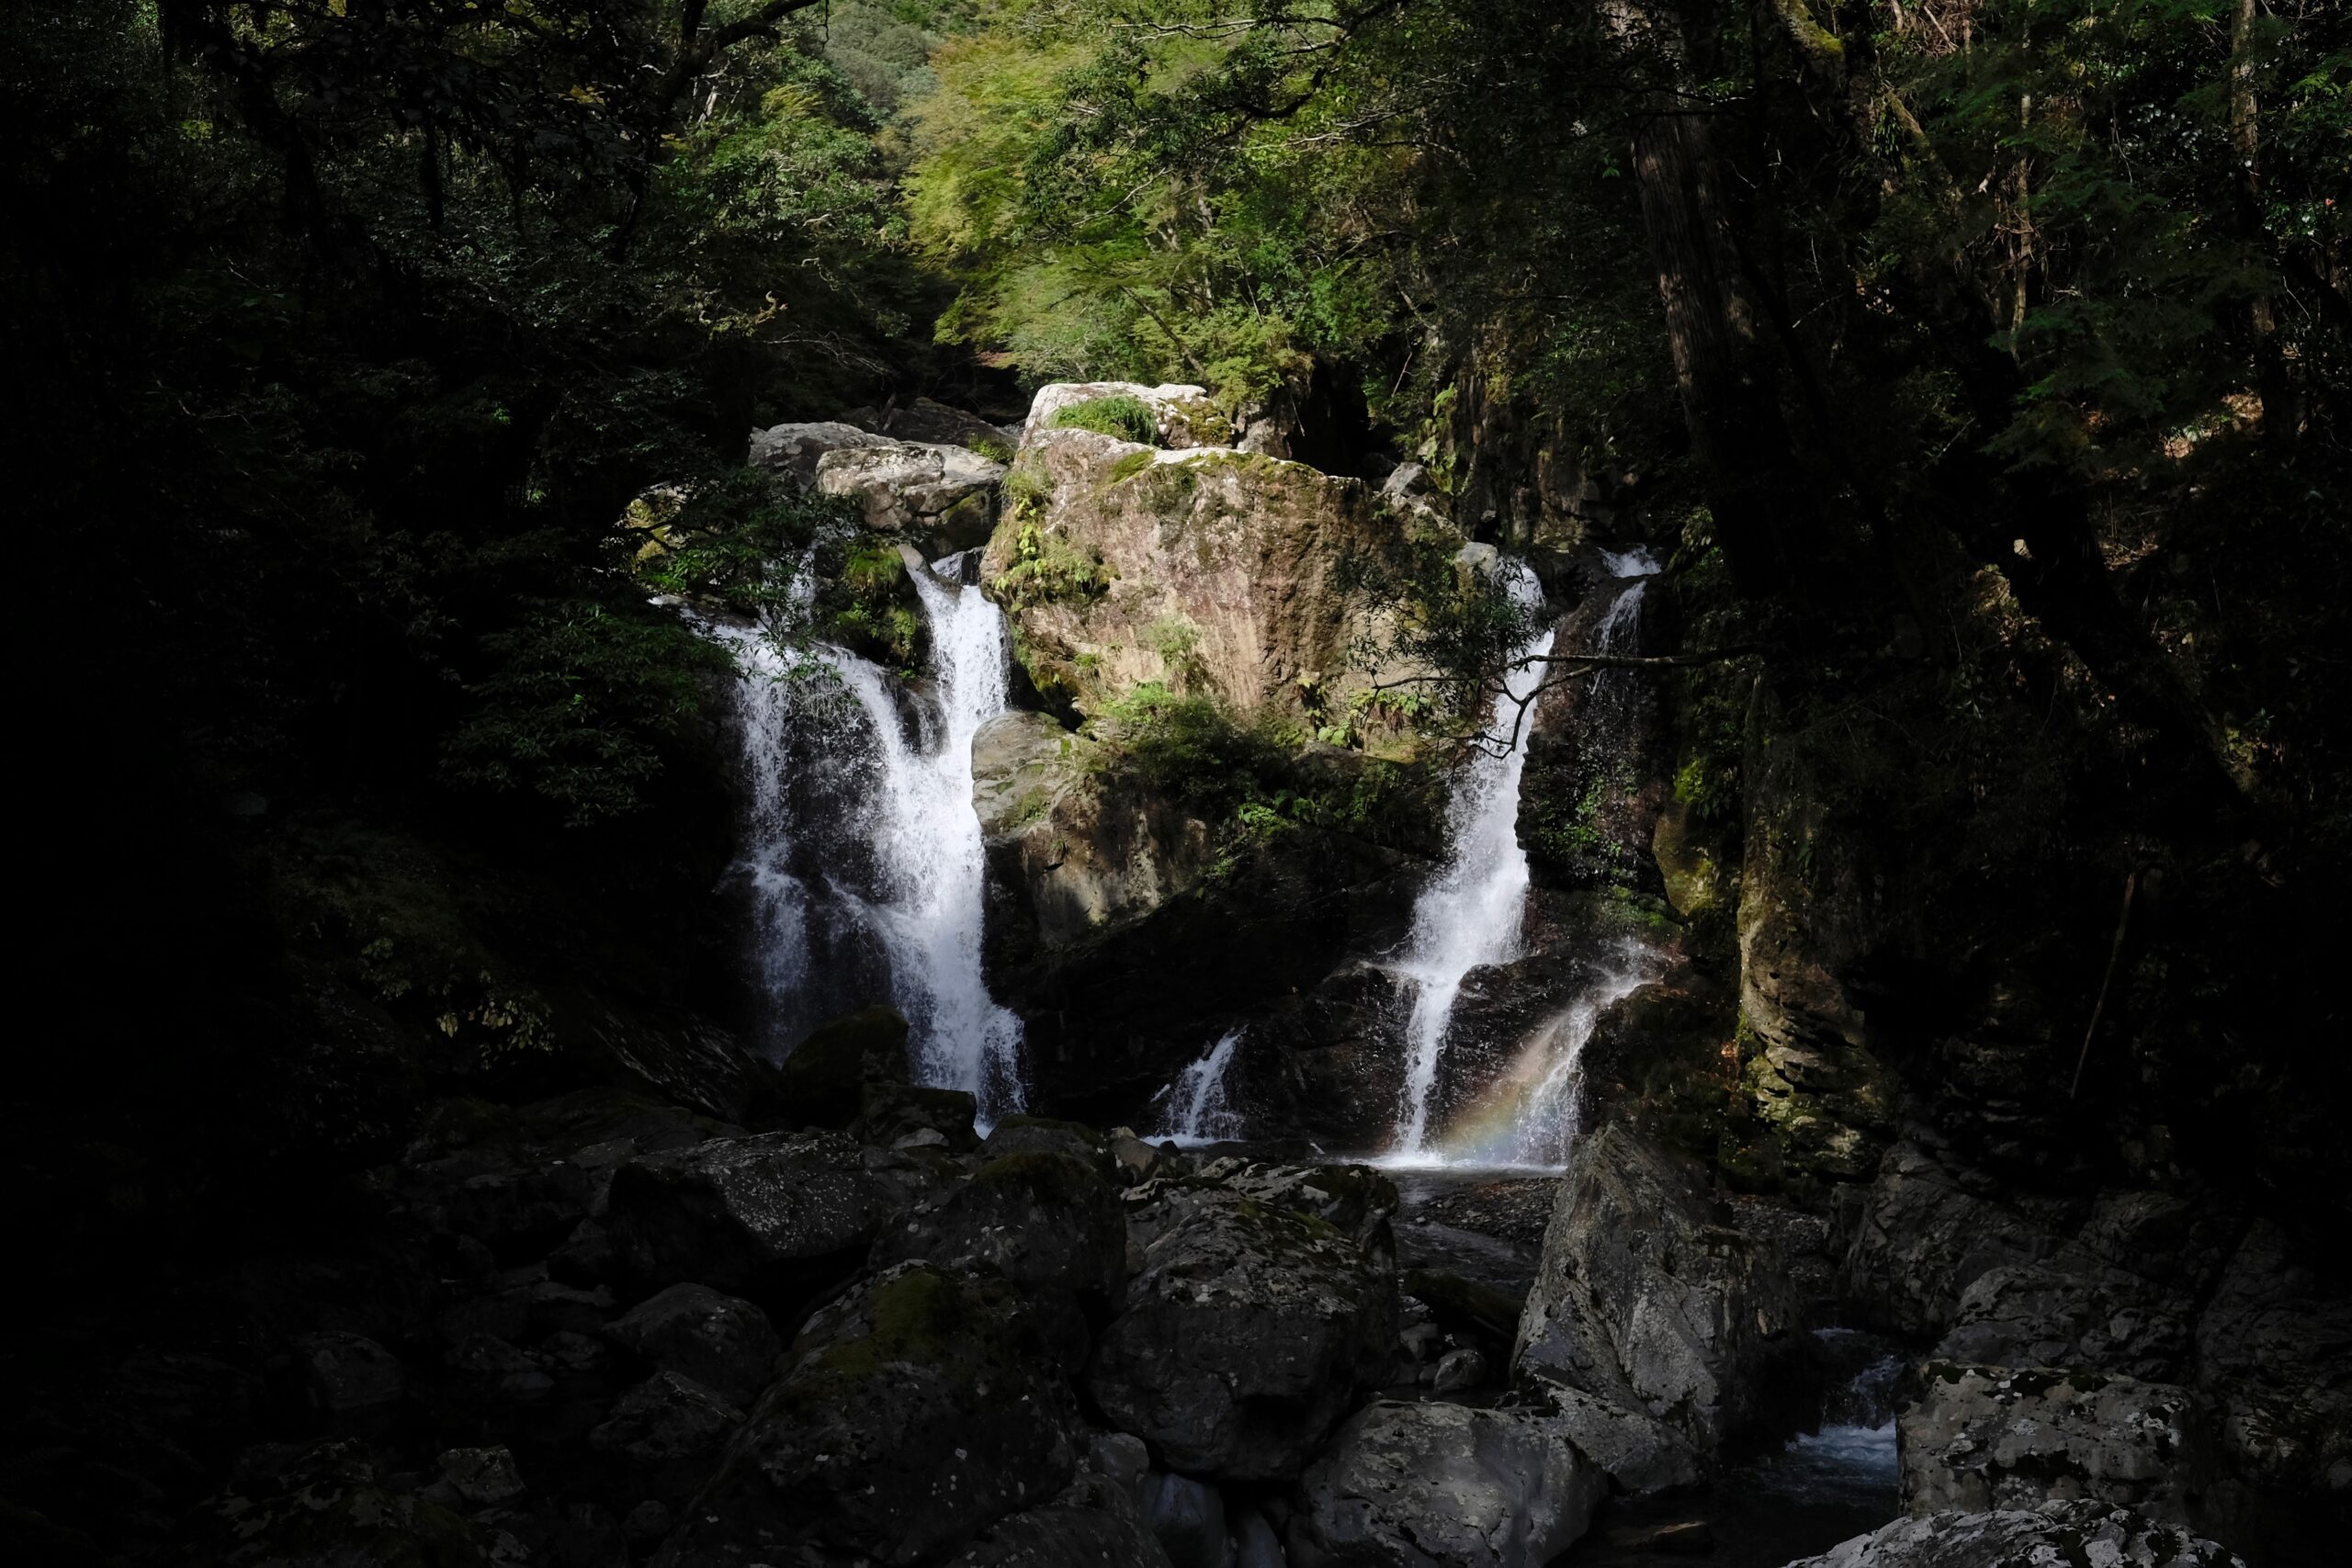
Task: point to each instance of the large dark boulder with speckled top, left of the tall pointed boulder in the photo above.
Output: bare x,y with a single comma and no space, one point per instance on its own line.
1245,1332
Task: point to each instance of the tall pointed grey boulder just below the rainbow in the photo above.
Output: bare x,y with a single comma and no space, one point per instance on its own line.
1648,1296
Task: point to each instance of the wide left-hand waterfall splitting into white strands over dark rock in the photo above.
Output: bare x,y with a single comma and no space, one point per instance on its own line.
862,847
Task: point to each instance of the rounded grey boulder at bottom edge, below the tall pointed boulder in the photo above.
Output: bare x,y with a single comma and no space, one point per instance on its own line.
1419,1485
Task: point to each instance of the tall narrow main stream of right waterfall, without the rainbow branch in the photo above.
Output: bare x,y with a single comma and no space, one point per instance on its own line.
1471,913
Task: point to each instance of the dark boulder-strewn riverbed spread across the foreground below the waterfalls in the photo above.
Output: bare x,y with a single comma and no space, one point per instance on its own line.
601,1329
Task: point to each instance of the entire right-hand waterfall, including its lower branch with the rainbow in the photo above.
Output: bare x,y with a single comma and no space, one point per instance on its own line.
1471,916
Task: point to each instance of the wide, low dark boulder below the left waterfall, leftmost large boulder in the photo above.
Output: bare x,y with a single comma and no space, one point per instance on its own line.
754,1212
